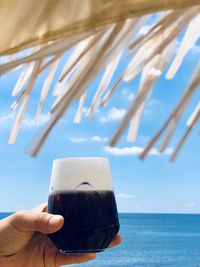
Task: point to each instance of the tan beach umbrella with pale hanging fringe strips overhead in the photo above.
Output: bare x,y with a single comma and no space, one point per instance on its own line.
98,30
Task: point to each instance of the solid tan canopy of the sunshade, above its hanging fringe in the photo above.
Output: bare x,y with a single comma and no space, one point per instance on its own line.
35,22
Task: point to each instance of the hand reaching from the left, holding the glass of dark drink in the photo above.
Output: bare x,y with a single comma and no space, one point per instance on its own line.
23,241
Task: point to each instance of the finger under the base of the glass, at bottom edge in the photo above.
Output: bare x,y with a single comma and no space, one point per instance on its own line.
62,259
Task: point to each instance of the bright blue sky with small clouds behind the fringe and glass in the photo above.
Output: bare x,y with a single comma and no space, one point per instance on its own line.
155,185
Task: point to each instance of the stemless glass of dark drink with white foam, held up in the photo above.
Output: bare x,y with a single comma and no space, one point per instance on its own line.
81,191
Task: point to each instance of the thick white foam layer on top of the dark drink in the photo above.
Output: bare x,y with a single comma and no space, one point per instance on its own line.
91,173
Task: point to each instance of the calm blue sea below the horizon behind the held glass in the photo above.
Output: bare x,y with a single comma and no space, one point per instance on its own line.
153,240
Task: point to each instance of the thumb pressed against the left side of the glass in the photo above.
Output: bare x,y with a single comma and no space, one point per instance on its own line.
43,222
